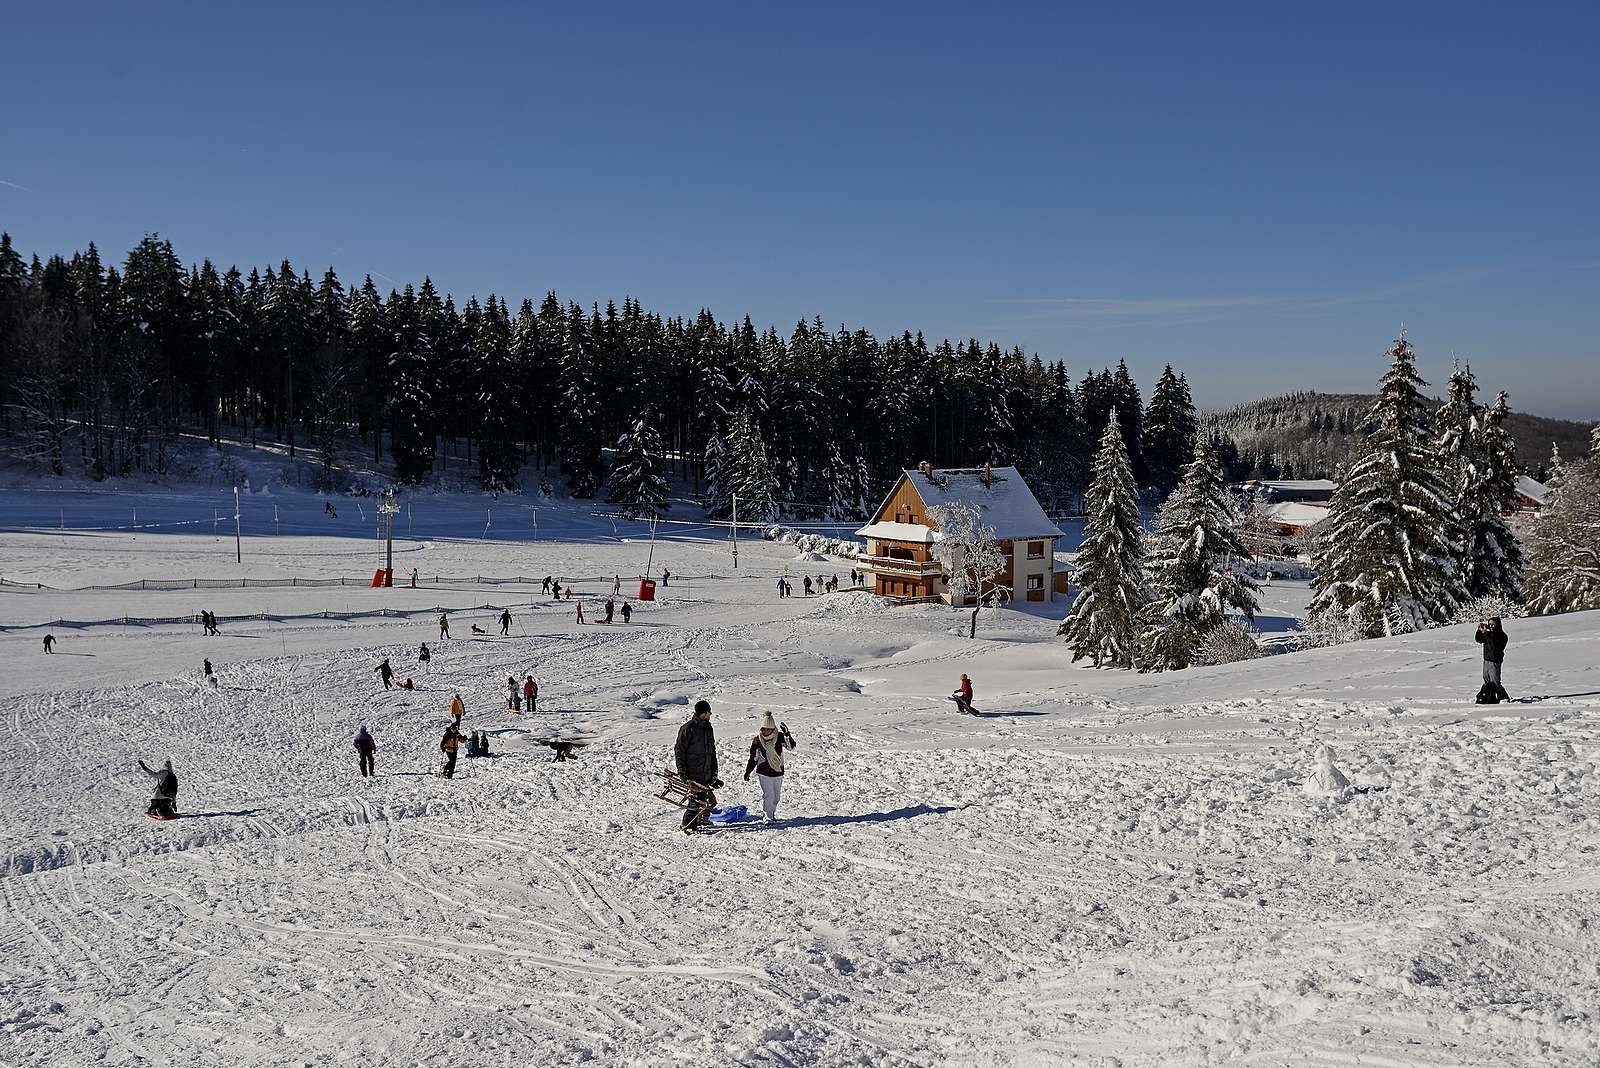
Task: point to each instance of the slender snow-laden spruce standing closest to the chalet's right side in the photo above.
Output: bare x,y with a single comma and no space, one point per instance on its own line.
1103,624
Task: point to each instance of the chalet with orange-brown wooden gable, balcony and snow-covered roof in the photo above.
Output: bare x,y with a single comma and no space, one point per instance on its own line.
902,535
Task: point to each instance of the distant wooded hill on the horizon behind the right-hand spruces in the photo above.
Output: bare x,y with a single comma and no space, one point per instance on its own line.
1308,436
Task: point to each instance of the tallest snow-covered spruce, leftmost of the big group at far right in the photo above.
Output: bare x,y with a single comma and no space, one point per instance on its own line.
1390,556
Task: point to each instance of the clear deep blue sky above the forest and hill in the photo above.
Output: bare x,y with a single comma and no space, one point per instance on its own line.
1258,194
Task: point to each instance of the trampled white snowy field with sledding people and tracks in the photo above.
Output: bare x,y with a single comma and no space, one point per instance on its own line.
1103,869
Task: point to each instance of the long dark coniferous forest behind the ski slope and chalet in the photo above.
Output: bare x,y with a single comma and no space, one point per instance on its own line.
105,369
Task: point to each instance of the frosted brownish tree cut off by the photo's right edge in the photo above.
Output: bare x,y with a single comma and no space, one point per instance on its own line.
1564,548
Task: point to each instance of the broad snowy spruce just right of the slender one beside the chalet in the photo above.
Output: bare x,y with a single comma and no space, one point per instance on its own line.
1190,578
